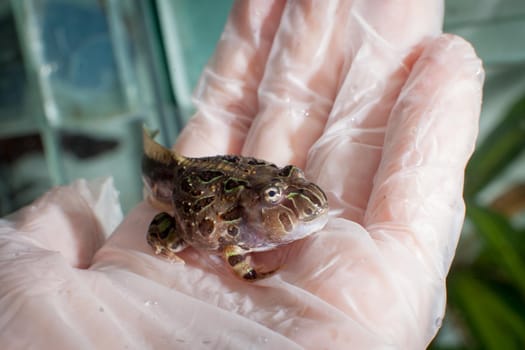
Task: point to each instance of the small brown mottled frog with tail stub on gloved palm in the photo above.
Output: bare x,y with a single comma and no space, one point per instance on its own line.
228,205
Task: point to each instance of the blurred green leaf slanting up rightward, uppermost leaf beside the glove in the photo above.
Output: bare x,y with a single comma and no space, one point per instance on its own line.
498,150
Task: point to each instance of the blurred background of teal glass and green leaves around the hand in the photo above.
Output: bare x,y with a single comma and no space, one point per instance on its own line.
78,78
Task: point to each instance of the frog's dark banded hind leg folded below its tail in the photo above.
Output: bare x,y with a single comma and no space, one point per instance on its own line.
164,238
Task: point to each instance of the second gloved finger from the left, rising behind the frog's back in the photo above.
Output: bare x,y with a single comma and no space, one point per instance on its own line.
300,82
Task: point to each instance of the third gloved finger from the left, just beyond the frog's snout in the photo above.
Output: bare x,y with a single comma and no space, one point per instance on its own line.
345,158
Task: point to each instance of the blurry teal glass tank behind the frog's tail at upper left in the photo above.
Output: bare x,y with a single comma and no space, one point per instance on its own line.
78,79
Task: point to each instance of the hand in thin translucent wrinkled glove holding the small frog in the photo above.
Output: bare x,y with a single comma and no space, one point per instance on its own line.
379,108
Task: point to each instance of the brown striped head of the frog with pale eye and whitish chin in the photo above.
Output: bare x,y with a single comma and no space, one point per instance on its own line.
287,207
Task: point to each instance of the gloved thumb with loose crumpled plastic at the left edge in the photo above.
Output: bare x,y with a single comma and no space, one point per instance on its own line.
72,220
